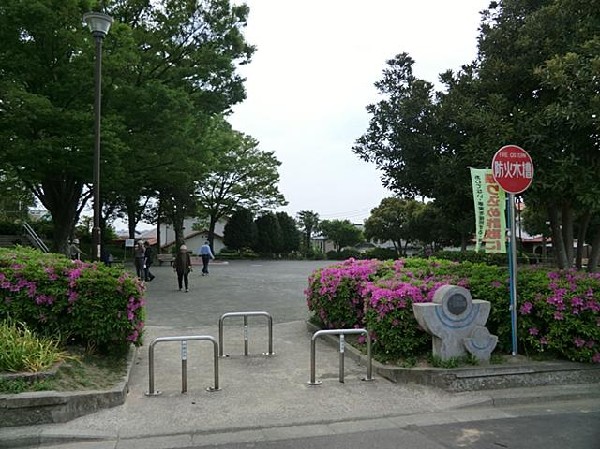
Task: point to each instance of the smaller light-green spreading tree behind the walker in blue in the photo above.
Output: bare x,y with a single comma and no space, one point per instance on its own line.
241,176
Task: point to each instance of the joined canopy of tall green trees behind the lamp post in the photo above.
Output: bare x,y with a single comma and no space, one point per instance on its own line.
168,66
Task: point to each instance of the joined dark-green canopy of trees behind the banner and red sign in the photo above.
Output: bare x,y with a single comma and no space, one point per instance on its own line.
534,83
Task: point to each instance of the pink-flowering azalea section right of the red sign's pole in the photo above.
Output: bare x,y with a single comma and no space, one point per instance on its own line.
563,317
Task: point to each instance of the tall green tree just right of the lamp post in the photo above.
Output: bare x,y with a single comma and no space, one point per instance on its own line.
184,75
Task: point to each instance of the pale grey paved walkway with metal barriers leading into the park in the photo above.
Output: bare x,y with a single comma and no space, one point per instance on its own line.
261,398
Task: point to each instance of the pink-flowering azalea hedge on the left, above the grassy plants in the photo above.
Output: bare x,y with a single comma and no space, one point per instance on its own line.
89,304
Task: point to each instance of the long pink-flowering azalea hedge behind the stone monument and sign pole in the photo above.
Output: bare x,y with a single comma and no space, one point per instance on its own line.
559,311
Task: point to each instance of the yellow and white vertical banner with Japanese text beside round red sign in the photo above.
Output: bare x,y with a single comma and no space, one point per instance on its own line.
489,202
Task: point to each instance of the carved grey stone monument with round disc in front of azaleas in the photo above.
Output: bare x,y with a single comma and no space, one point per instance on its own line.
456,323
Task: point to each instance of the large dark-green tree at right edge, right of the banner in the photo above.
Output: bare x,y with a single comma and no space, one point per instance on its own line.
539,58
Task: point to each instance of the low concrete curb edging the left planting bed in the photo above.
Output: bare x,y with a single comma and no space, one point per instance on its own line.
47,407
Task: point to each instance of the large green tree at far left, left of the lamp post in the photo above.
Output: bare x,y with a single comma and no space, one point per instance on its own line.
46,116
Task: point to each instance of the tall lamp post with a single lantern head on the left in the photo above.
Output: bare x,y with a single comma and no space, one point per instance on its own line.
99,24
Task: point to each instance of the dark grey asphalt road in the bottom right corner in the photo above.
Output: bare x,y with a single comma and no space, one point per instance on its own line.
575,429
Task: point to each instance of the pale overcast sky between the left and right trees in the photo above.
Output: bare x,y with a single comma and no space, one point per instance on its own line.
312,77
